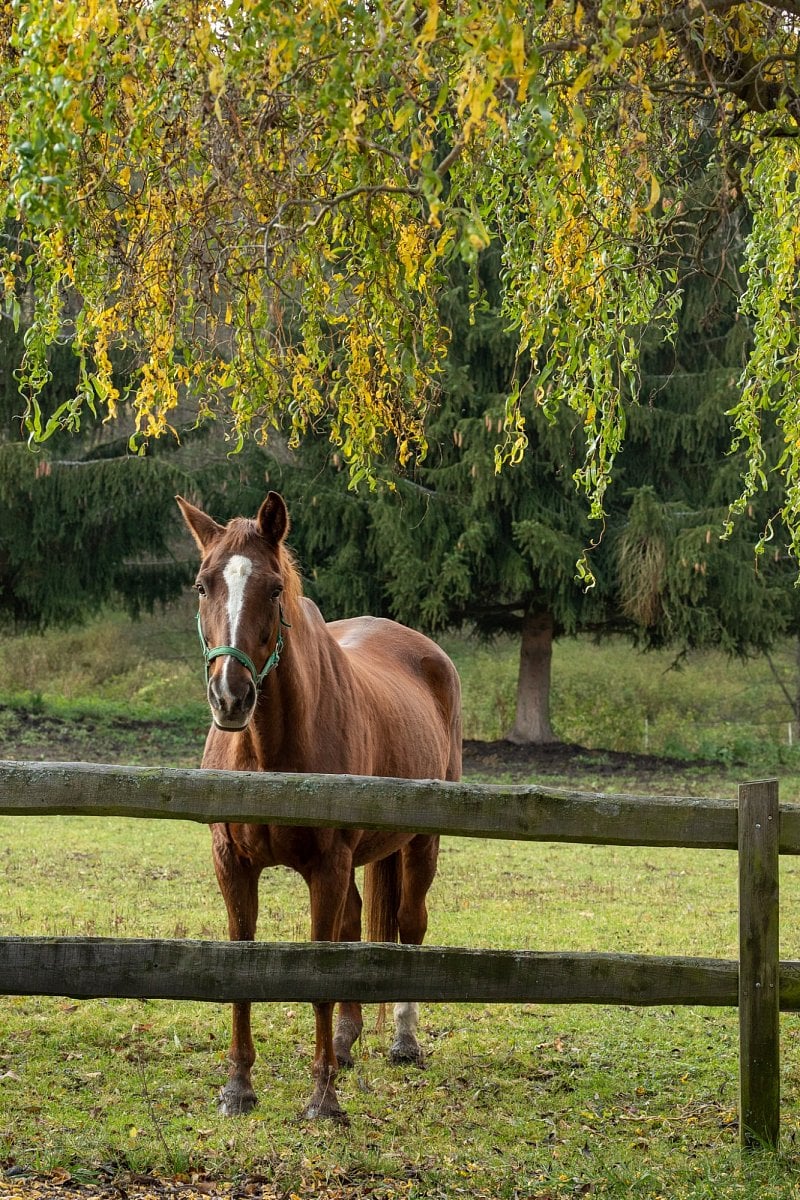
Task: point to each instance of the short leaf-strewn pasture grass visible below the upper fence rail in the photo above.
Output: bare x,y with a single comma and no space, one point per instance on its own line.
518,1101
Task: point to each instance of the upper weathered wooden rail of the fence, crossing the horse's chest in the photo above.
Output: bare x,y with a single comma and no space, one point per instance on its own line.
519,813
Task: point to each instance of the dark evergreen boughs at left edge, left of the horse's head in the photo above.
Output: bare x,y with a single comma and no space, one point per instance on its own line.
83,523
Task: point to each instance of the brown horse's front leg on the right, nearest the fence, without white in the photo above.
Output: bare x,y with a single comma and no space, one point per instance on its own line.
329,886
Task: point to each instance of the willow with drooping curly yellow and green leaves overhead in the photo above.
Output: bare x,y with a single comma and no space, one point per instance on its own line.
260,200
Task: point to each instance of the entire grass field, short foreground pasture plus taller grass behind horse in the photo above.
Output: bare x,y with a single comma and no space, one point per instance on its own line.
518,1103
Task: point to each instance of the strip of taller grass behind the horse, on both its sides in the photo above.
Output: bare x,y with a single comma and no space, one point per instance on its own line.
605,695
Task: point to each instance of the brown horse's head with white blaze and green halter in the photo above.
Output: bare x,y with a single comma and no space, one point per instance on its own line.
240,585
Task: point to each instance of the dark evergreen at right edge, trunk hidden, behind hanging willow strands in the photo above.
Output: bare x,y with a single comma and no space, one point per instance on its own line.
681,584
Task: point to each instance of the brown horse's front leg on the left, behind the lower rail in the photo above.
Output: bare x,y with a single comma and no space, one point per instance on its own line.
239,885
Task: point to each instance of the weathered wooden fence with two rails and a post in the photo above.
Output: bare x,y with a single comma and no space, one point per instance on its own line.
757,983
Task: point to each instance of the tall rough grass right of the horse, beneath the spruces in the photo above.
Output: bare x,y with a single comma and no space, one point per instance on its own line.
607,695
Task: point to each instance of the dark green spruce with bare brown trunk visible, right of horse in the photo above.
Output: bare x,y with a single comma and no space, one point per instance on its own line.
464,544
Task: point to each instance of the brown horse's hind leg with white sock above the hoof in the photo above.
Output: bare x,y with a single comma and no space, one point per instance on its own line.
419,868
